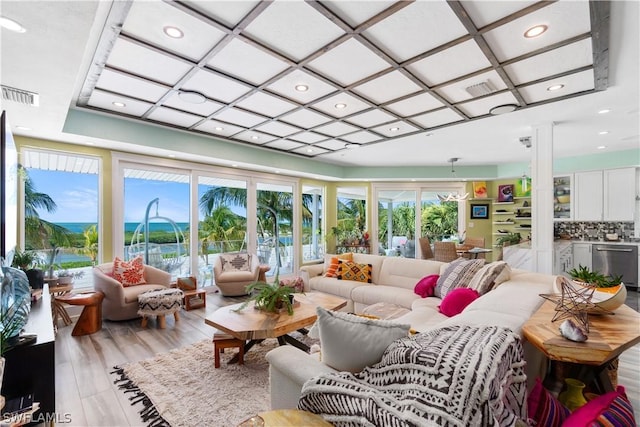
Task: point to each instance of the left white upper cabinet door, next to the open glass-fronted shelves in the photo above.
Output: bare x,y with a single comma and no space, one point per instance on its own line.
588,196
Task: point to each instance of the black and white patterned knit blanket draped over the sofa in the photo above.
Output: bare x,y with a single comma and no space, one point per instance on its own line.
450,376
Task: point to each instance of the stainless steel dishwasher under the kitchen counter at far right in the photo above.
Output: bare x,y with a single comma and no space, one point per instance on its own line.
617,260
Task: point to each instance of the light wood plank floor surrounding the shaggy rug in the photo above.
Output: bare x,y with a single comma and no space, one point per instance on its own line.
85,389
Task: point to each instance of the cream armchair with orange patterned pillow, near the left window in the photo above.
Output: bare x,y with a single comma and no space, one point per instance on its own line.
120,302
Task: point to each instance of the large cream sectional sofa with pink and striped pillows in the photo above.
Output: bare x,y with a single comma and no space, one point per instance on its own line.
508,305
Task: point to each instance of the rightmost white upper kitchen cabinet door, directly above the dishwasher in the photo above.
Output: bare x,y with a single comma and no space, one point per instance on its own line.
619,194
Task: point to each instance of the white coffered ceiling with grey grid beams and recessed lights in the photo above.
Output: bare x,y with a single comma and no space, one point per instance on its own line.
405,82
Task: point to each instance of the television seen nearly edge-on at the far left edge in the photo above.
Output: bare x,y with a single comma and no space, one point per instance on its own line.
8,191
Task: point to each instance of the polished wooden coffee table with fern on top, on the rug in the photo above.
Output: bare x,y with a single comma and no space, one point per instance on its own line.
253,326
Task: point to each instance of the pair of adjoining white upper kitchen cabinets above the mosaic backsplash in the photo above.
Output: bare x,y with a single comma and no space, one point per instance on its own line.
607,195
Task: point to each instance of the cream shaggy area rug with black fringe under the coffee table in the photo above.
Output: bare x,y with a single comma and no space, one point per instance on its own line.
182,388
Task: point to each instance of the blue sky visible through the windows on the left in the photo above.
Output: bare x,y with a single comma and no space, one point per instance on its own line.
76,196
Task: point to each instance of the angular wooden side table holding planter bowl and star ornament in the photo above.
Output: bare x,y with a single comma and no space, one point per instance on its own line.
609,336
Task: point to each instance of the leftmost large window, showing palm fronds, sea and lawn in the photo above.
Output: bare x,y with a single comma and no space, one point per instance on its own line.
62,212
